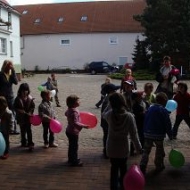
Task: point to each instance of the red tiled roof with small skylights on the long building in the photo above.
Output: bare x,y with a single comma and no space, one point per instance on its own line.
113,16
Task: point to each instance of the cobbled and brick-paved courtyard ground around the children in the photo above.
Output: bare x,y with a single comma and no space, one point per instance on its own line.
46,169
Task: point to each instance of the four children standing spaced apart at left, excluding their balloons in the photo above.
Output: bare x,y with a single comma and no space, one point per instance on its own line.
24,107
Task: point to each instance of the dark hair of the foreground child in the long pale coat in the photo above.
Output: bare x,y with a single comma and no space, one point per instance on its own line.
117,101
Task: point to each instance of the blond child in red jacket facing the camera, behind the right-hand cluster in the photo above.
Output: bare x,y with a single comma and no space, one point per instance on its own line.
128,76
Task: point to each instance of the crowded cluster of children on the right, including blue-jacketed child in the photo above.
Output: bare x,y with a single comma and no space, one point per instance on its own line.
141,115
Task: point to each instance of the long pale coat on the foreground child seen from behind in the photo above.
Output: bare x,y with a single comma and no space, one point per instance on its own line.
120,126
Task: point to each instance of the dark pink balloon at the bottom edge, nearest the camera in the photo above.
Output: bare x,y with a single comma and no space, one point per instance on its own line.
134,179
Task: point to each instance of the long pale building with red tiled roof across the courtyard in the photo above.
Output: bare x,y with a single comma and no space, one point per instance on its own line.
72,34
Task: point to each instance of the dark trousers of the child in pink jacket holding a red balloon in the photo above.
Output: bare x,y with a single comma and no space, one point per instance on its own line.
73,148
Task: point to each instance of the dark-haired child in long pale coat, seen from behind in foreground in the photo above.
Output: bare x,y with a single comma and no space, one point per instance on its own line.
121,124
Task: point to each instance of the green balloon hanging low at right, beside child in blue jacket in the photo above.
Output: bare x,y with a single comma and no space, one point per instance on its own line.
176,158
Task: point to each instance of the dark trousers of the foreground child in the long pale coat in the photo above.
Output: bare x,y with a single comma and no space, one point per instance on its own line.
118,170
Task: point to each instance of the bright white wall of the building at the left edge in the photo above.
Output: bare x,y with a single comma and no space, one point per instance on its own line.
11,35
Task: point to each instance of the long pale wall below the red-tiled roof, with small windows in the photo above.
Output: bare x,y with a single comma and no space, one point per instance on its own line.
46,51
